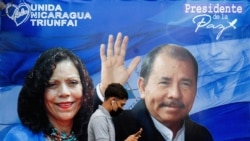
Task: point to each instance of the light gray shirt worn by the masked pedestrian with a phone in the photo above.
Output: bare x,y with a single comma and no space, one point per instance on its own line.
101,127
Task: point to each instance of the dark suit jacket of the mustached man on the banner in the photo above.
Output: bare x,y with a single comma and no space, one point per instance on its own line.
130,121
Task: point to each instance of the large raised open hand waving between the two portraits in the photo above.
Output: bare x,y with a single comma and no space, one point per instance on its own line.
113,69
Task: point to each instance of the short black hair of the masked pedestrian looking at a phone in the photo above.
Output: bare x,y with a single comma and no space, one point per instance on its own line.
115,90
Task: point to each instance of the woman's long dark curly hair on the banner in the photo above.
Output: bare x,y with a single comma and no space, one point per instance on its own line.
31,107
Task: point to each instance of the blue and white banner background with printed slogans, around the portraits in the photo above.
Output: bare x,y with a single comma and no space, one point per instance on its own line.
216,32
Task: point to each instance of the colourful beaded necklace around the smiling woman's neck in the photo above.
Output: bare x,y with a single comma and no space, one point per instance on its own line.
57,136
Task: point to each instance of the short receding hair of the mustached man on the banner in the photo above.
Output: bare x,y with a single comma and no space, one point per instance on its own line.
174,51
